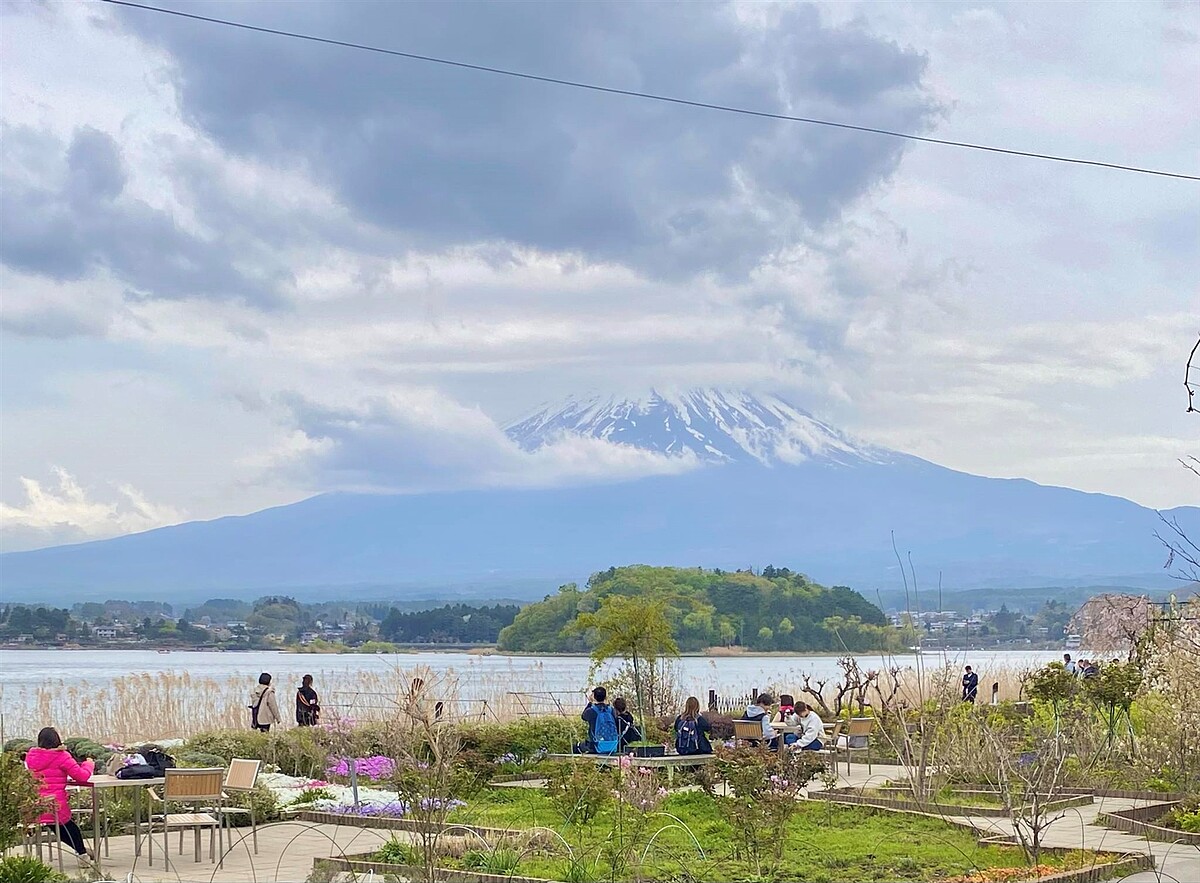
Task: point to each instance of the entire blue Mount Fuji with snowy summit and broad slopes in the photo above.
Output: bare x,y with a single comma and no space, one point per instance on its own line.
765,483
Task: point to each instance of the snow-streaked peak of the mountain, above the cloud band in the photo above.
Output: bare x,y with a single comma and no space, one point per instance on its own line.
712,425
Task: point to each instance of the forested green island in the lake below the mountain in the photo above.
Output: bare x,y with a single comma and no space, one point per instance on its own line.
775,610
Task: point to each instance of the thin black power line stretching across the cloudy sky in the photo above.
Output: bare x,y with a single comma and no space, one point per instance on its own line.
649,97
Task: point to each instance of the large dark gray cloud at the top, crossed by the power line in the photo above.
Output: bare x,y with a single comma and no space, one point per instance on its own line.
446,157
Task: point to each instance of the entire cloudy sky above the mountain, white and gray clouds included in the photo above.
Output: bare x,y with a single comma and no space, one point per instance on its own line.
241,269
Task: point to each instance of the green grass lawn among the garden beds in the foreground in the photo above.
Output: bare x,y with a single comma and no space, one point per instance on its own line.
826,843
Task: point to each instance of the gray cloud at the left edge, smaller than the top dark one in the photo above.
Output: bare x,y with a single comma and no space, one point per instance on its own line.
67,215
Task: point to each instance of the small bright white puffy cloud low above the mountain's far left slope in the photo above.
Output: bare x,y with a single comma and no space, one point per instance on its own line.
67,513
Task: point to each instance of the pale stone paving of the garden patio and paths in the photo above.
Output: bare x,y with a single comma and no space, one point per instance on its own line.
286,850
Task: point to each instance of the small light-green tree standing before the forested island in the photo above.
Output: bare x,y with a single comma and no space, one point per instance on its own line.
629,628
